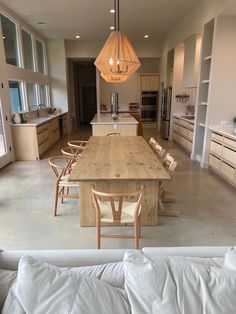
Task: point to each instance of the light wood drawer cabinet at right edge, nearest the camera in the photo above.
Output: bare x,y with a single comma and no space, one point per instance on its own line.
222,156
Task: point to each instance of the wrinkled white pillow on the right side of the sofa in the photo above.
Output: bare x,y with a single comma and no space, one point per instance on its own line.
169,285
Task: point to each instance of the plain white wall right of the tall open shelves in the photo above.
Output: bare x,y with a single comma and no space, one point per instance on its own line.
222,105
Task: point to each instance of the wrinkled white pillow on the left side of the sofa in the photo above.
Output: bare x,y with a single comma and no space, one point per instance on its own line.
44,289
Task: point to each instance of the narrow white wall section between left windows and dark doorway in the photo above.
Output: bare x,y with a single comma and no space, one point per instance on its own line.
57,72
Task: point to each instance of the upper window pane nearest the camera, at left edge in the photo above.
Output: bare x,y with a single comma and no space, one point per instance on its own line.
10,41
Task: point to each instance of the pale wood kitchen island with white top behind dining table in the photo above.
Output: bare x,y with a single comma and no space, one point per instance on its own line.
103,124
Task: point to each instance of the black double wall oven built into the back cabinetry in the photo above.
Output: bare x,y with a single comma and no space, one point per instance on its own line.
149,105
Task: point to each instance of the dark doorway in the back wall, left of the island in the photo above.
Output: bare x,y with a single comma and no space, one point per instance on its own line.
83,90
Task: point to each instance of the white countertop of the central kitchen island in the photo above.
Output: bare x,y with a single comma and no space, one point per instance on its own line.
104,118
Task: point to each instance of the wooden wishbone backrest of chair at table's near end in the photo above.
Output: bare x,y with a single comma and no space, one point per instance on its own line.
115,202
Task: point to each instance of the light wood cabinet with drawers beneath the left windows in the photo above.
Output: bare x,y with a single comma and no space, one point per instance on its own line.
32,141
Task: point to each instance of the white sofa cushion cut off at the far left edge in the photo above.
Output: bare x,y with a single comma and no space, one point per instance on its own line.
7,278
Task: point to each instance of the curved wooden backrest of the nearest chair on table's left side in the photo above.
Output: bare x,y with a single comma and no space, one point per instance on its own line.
60,165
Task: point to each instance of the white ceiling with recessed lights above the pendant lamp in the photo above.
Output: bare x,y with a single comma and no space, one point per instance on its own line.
91,19
